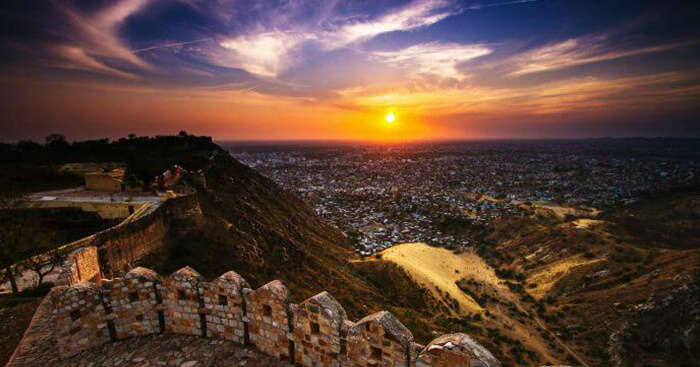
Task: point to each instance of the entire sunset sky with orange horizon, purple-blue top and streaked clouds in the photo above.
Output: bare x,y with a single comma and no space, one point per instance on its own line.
271,70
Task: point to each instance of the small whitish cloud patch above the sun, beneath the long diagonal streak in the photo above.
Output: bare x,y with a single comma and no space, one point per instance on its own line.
434,58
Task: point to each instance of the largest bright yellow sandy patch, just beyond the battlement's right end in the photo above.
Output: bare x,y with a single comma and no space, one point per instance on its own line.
434,266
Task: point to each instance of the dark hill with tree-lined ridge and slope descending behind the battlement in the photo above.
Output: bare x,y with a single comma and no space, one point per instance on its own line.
247,223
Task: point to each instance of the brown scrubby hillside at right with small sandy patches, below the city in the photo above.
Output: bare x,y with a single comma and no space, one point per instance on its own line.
622,289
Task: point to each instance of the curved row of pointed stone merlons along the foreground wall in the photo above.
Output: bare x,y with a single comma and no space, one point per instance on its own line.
315,332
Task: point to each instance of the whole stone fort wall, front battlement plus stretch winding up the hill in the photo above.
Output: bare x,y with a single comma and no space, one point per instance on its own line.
87,311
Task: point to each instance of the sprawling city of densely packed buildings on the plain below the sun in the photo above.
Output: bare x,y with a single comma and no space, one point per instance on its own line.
384,195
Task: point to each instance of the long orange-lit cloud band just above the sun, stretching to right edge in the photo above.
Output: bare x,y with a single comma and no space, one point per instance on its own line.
572,95
